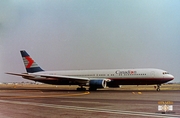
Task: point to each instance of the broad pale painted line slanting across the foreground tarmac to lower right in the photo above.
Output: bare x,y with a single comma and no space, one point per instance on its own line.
133,113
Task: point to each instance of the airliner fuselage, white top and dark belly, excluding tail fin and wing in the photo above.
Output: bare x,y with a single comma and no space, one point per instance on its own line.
119,76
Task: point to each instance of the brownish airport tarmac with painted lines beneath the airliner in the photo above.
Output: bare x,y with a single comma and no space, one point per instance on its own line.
47,101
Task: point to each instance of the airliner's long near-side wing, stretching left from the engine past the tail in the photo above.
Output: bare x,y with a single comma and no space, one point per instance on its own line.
38,76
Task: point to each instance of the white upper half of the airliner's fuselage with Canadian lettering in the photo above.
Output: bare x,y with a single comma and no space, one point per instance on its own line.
114,73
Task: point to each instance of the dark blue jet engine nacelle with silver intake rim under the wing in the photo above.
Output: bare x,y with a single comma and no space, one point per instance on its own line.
98,83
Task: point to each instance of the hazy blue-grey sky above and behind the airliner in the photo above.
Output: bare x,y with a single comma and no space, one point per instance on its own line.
90,34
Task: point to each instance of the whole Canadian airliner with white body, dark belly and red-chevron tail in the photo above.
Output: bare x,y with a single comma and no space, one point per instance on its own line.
94,79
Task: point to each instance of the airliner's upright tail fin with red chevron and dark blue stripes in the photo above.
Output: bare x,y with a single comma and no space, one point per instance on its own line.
30,65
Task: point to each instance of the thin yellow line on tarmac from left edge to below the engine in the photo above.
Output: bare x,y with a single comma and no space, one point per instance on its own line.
45,96
